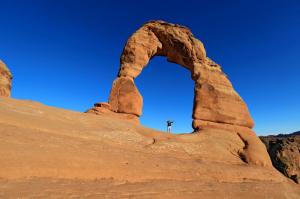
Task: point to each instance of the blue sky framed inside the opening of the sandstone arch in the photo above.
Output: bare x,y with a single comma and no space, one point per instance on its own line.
167,91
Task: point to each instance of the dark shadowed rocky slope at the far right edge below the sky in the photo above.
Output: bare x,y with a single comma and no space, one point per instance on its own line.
284,150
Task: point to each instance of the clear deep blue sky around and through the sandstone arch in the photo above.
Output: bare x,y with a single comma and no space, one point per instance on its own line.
66,54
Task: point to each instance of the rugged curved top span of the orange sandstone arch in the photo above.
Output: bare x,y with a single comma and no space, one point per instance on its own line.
159,38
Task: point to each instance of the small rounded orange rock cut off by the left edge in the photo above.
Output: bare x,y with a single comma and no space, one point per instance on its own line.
5,80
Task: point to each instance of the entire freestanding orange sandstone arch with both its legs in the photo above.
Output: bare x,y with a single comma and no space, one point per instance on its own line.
216,103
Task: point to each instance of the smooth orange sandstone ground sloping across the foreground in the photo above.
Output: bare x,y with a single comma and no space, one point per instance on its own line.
46,152
